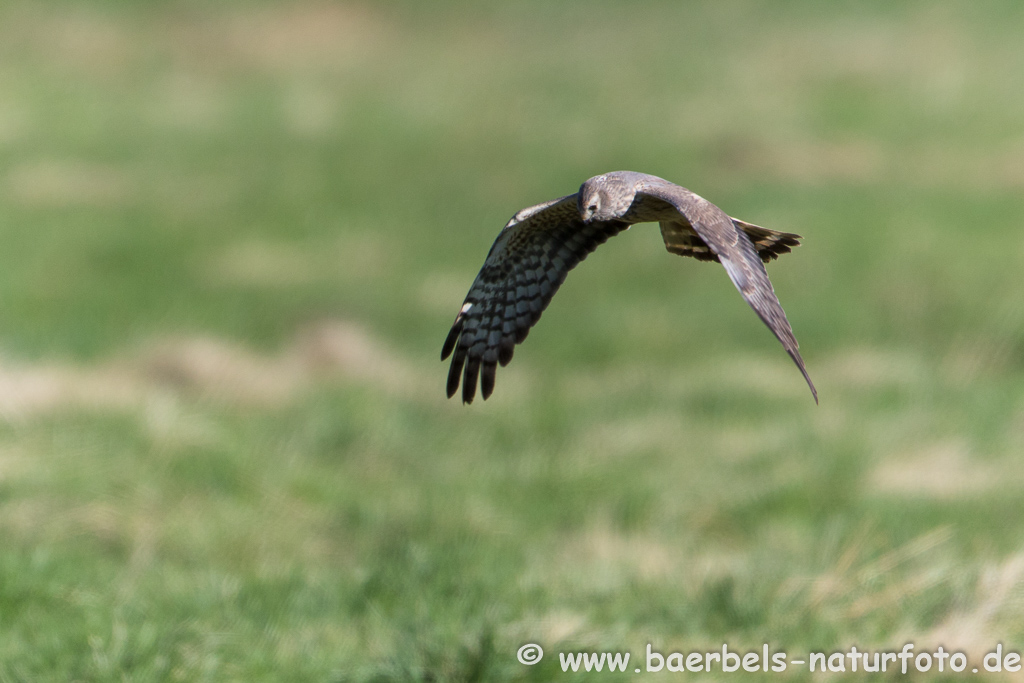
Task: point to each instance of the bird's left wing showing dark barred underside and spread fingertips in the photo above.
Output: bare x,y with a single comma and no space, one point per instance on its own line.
526,267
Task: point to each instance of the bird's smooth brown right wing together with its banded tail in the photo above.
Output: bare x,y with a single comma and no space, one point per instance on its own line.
732,246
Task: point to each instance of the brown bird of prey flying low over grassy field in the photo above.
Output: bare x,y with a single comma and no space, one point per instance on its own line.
538,248
